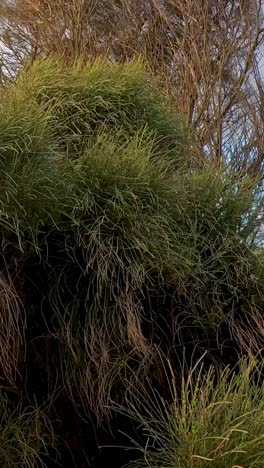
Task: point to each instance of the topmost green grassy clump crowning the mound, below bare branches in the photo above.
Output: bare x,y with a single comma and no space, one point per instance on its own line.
85,97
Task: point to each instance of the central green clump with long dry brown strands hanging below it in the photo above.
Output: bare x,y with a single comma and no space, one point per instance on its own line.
120,237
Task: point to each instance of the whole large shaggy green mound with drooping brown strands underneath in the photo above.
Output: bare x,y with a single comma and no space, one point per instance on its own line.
114,243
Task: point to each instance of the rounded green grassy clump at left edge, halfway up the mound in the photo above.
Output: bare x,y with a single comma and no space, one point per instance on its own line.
31,172
